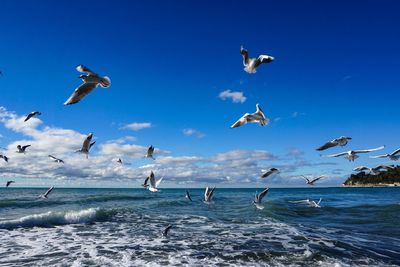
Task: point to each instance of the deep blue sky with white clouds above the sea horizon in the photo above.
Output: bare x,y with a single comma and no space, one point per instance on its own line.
177,82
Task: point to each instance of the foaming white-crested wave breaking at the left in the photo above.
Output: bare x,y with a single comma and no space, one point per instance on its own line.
52,218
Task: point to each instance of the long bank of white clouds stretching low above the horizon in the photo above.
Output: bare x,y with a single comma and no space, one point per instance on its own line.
235,167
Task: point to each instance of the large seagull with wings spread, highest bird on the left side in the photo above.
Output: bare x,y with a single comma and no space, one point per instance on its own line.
90,81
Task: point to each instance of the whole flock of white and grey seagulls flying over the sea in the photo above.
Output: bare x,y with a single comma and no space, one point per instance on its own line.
91,80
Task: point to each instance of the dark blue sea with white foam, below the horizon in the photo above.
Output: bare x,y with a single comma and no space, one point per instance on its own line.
122,227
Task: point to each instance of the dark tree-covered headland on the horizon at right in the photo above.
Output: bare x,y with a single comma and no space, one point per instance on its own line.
384,178
